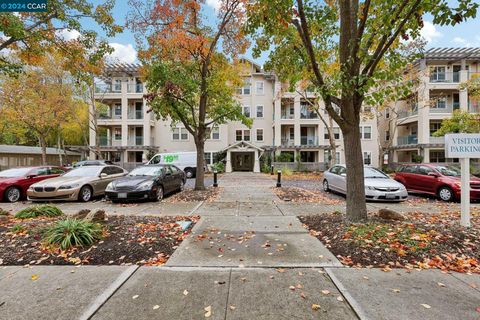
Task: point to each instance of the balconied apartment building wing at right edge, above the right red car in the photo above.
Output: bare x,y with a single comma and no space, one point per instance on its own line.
411,122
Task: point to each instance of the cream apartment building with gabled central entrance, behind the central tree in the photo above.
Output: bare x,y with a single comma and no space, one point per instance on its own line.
283,122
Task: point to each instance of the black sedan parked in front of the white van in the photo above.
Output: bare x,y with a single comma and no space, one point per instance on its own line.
150,182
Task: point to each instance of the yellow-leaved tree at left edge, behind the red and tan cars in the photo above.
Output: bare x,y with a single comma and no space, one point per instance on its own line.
38,100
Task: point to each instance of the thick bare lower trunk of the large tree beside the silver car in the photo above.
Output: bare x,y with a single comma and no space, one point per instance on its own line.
356,204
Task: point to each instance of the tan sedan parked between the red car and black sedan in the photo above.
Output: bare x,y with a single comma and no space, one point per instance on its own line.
80,184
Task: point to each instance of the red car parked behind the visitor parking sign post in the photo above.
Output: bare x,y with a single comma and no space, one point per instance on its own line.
442,181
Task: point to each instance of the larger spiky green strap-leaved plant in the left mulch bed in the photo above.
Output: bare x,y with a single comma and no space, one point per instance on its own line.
70,232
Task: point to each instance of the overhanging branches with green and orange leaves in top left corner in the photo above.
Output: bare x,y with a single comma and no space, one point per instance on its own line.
32,35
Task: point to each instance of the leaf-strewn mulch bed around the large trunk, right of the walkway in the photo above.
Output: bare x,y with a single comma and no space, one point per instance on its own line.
424,241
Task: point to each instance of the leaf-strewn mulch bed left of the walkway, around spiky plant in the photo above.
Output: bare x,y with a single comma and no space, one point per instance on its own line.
127,240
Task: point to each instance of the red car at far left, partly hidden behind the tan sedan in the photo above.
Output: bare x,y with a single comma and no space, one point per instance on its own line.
15,182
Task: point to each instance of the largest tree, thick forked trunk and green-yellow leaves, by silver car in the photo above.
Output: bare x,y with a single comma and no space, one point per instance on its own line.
367,41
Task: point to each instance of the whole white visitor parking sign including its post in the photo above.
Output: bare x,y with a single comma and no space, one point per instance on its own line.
463,146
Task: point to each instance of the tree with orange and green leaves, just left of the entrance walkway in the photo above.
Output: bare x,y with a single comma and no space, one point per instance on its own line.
189,80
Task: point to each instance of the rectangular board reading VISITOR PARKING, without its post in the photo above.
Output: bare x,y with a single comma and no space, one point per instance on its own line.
462,145
